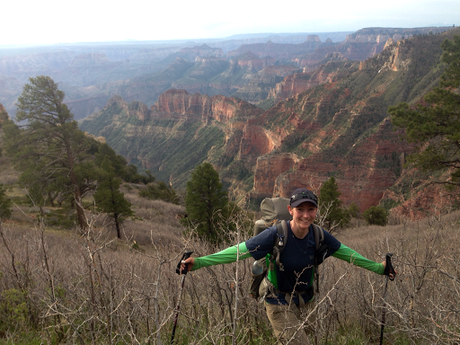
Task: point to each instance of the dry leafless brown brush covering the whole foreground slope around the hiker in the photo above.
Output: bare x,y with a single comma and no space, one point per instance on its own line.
97,289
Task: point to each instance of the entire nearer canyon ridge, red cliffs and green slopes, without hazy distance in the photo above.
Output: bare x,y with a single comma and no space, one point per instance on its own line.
331,121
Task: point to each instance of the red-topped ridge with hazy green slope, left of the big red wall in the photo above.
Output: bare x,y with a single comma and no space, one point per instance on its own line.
178,132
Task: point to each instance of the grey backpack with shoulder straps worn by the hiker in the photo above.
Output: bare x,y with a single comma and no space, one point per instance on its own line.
275,212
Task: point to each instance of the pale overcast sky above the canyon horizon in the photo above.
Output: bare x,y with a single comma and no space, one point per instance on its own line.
57,21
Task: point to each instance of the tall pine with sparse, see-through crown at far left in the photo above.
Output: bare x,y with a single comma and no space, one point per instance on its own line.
49,146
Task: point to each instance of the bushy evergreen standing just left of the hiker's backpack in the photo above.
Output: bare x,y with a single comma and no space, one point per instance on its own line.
204,201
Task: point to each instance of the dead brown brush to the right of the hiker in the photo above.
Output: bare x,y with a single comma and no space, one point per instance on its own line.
424,301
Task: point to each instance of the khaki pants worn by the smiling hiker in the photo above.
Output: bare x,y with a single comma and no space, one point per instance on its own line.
289,322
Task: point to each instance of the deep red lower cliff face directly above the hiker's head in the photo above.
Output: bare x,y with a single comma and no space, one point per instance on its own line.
364,184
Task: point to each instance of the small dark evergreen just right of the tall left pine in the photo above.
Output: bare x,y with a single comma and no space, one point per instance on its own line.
108,197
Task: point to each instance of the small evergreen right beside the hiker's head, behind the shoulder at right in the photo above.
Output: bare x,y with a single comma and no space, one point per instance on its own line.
330,205
